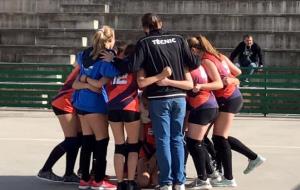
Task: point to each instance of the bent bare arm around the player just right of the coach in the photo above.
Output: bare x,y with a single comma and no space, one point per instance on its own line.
213,74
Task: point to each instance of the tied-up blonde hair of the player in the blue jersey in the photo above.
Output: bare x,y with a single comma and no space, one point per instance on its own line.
100,39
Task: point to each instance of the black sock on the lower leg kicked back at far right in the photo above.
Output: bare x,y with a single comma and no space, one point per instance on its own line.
239,147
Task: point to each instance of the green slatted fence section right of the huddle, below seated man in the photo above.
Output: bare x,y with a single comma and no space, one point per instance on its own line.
272,90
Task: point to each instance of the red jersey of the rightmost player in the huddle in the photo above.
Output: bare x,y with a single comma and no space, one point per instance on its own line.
223,69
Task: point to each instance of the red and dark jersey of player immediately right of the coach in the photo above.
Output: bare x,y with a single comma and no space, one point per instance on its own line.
203,99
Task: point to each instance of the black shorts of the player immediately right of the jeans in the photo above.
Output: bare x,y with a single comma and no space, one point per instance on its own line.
203,116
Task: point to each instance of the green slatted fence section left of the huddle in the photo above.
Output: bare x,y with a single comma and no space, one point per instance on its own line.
30,85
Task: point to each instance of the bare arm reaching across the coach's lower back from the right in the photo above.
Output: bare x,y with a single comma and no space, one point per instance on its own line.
186,84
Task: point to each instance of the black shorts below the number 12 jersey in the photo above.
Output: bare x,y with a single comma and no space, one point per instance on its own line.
123,116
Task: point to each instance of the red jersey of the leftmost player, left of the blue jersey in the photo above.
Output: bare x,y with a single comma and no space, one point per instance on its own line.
63,99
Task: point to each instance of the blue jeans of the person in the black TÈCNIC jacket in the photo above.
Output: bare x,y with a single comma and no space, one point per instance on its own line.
167,116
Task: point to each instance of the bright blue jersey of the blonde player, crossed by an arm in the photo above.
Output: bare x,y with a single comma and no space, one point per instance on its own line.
85,99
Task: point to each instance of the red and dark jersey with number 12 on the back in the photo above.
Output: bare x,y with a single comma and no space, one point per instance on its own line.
123,93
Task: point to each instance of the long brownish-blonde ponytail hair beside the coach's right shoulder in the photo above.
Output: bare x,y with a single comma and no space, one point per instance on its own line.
200,42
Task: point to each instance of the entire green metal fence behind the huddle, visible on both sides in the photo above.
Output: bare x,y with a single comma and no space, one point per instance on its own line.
269,90
